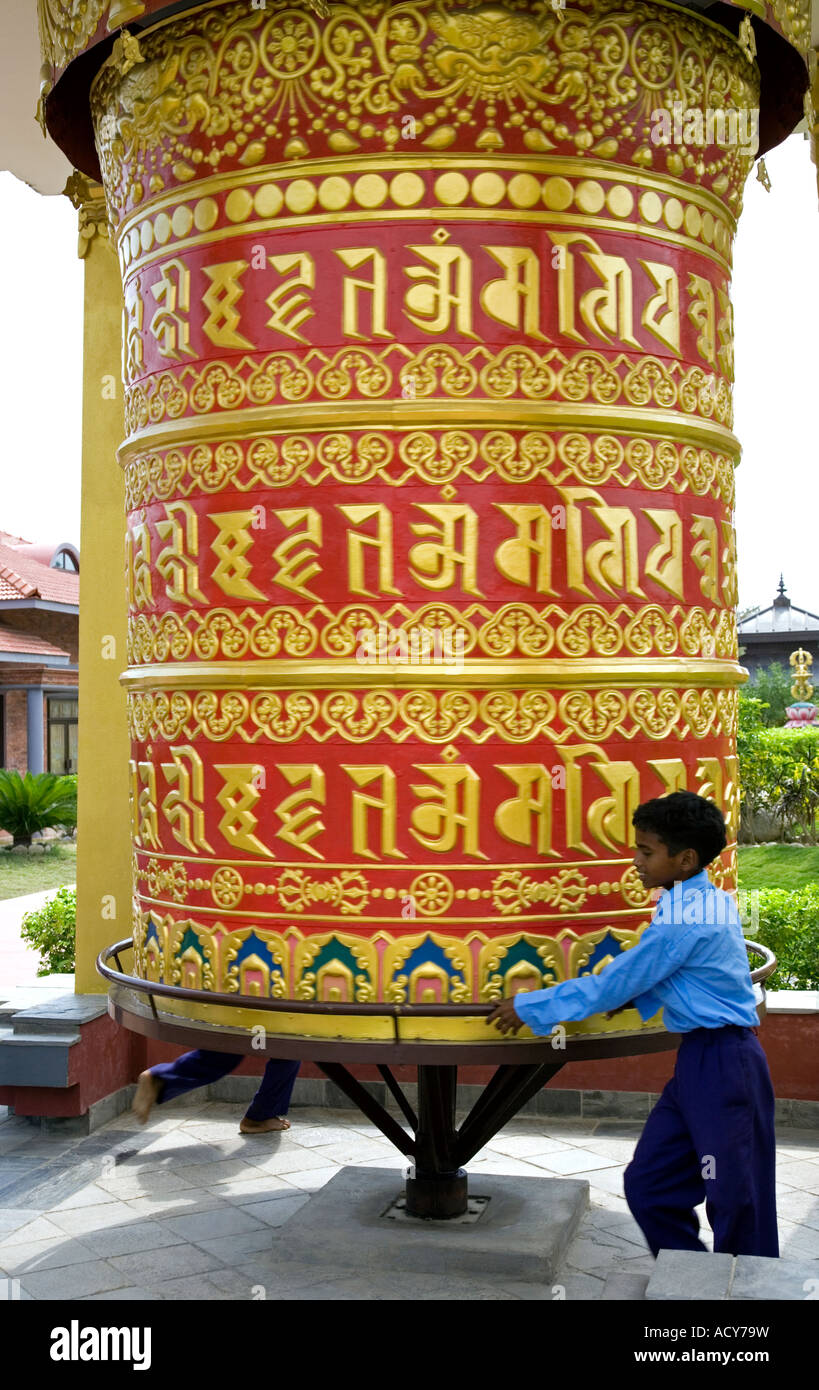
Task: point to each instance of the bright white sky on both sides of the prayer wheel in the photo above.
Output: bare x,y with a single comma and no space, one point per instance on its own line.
777,312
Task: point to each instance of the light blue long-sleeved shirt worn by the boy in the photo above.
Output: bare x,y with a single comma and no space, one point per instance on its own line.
690,963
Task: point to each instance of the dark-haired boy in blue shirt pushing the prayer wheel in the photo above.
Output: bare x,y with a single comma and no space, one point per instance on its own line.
711,1134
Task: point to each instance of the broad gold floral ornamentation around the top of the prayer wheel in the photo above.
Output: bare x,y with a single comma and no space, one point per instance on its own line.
355,76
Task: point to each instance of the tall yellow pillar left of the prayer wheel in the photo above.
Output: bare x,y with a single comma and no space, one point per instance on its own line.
104,871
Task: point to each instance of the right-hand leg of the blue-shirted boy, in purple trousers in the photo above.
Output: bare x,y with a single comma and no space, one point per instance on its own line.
728,1100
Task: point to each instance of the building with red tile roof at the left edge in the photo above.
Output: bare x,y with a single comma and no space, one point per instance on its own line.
40,650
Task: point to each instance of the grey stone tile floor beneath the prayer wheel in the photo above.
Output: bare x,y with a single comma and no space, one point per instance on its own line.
187,1209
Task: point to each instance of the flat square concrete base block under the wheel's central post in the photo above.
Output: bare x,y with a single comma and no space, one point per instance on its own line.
524,1235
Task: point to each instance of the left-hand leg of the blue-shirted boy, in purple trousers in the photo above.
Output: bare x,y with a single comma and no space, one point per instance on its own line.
664,1181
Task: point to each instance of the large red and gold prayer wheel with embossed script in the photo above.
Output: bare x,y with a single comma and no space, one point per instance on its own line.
430,479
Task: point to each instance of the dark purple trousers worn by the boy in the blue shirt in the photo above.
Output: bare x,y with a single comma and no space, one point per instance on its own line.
710,1139
